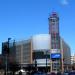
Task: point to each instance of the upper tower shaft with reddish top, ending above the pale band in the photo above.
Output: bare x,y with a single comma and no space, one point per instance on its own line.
54,30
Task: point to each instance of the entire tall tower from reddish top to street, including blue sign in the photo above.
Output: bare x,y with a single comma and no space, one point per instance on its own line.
55,42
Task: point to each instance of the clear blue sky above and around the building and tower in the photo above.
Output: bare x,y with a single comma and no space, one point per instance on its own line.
20,19
